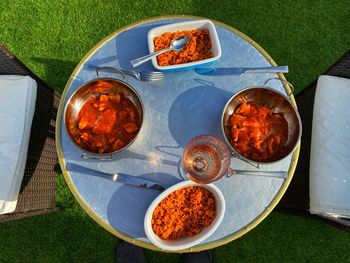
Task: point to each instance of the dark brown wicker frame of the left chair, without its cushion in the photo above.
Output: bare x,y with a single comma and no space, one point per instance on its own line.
37,194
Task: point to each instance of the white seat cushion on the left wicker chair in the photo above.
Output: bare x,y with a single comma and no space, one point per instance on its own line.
17,105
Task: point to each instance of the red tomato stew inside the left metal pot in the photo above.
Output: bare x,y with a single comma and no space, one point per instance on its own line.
105,123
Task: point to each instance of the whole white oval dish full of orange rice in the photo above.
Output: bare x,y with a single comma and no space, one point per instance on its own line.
184,215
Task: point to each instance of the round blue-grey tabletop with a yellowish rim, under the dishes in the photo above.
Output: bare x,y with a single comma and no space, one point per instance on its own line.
181,106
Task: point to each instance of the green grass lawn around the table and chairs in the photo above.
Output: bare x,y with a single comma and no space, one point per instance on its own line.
51,37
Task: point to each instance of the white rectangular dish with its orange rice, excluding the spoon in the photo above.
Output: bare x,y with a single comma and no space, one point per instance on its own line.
202,49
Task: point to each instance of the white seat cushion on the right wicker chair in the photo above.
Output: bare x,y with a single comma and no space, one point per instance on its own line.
330,148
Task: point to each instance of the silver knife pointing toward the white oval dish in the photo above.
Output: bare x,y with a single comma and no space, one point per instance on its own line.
118,177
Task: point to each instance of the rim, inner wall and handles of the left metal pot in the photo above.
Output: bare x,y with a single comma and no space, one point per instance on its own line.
92,89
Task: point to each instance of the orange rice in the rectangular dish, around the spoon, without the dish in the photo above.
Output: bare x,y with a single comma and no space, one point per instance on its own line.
197,48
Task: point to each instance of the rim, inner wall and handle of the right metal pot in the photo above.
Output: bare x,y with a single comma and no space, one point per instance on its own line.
279,103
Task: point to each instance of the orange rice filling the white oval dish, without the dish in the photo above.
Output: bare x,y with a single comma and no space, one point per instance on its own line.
184,213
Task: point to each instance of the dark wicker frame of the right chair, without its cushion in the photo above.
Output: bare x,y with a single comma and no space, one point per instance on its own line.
296,198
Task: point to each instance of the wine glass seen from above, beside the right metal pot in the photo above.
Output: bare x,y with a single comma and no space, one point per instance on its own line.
205,159
